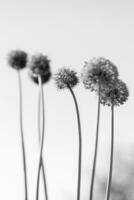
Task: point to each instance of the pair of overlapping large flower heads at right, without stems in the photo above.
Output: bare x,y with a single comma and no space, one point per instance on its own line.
101,75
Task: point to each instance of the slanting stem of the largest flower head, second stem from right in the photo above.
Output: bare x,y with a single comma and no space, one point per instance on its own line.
96,149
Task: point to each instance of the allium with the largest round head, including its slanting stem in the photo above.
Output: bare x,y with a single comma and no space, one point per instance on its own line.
96,75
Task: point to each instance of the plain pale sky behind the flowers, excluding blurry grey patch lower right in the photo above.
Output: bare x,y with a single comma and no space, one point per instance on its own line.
69,33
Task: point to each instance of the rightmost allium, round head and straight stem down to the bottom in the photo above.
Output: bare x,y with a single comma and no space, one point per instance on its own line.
114,95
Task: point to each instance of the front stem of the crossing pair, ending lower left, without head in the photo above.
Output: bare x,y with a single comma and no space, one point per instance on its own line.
42,138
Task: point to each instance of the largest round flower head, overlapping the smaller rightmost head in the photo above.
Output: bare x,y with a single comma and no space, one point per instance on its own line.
98,71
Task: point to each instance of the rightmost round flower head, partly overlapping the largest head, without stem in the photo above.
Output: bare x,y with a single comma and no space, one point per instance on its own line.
116,95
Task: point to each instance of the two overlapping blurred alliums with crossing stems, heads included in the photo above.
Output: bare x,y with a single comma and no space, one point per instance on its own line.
40,73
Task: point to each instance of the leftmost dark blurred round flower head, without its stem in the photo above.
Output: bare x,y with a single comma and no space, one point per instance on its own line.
17,59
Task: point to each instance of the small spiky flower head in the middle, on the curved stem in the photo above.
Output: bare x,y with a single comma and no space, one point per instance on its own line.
66,78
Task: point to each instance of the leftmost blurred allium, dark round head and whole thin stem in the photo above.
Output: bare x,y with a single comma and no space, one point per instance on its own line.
18,60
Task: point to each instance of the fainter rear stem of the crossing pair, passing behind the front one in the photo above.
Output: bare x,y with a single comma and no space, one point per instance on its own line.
39,137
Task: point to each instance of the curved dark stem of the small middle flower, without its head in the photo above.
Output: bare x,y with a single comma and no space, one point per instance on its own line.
80,144
